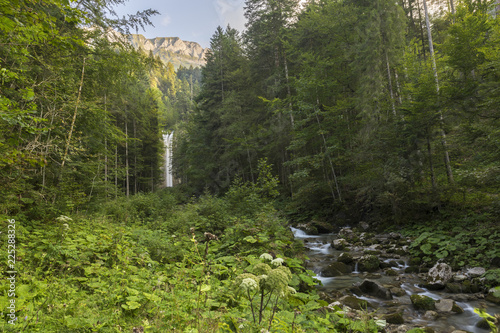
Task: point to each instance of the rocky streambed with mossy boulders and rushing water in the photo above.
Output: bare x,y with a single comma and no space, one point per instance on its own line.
361,271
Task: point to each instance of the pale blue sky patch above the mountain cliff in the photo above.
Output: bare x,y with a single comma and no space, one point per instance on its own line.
190,20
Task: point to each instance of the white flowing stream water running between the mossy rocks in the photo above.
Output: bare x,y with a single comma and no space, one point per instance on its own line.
321,254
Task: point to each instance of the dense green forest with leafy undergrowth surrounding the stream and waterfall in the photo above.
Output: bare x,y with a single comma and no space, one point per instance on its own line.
322,115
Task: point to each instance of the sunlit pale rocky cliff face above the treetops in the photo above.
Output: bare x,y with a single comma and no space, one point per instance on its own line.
171,49
